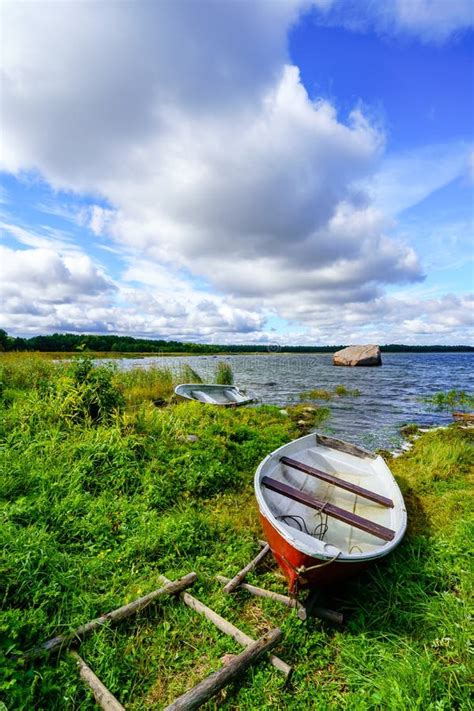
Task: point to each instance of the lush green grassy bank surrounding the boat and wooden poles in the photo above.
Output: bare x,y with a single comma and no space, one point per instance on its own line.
101,491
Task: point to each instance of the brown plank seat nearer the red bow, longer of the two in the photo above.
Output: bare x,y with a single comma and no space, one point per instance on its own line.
364,524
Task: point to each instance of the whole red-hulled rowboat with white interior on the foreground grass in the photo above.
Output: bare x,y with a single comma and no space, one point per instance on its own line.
328,509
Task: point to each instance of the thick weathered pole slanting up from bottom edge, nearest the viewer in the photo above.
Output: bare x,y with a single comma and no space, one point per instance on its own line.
201,693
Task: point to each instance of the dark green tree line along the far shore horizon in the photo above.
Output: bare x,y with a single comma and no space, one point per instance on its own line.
72,342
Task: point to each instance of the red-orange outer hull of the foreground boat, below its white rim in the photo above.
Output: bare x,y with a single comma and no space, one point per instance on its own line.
291,560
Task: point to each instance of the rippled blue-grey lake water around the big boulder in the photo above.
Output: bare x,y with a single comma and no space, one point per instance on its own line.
389,395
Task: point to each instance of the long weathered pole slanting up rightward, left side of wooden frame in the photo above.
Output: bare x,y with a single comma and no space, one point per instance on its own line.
120,613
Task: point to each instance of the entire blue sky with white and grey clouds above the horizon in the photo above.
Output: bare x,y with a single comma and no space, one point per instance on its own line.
239,172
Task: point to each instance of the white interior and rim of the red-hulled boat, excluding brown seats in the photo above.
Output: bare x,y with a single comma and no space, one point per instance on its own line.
313,531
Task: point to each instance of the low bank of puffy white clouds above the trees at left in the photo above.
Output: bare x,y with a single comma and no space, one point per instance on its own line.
44,290
